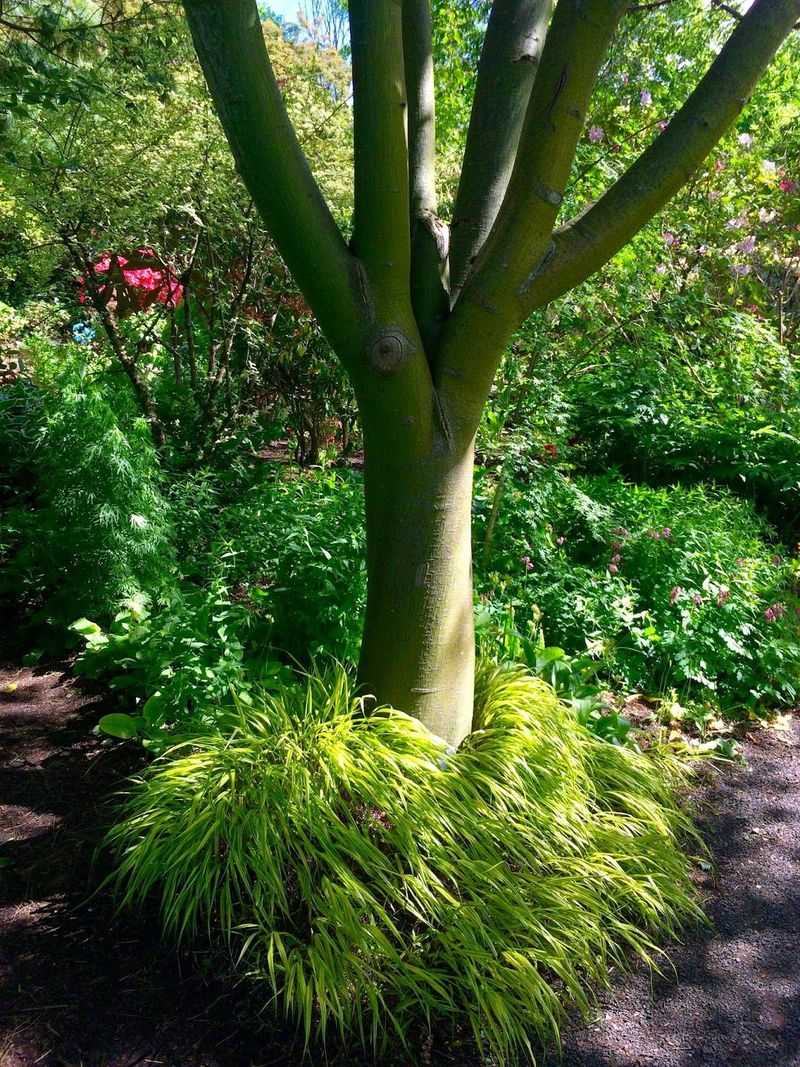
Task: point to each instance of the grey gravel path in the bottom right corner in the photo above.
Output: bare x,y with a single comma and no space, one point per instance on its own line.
733,999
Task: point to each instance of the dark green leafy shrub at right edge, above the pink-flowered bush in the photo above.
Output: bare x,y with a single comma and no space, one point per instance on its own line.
697,393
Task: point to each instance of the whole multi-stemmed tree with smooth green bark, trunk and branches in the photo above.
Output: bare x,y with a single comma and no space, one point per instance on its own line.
422,324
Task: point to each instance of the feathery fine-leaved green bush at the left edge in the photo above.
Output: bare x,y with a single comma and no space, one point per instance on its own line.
92,527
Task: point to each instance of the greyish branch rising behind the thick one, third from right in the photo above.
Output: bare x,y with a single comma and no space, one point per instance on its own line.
509,61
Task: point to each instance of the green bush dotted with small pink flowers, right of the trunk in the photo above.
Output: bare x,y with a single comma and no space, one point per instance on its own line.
664,587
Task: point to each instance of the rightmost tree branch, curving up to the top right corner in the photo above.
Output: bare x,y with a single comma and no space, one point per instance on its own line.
590,240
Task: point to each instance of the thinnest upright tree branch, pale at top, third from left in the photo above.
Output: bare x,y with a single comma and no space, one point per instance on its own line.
429,237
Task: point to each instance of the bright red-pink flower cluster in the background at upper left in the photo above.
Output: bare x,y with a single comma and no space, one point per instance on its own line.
132,283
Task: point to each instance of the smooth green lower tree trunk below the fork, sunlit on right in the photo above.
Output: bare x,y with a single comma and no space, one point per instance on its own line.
419,647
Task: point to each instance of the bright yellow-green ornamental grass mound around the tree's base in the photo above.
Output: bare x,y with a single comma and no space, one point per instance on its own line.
372,882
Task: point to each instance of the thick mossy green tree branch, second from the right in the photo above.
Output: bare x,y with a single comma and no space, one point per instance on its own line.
492,304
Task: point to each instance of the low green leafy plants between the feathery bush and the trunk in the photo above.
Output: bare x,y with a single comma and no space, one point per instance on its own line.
290,543
